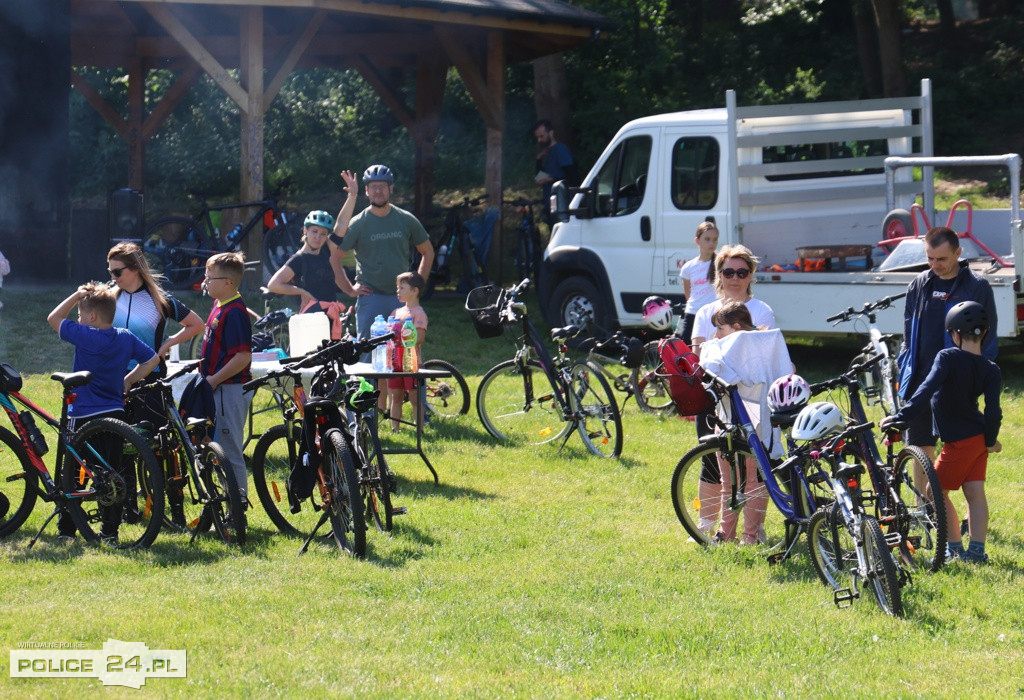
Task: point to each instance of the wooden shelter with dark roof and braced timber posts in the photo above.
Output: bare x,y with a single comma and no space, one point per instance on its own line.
269,39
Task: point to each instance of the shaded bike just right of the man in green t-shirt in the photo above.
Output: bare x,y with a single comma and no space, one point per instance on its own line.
458,240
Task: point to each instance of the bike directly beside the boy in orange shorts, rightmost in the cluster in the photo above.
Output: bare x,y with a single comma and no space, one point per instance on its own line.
914,517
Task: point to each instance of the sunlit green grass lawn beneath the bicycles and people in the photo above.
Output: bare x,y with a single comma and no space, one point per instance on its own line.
528,573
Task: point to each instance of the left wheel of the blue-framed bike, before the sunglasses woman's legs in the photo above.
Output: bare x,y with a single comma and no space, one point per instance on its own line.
710,509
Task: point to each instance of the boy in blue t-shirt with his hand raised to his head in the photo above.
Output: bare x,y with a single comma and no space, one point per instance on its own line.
107,353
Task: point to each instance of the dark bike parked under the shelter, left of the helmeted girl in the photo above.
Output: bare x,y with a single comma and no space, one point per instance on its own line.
179,247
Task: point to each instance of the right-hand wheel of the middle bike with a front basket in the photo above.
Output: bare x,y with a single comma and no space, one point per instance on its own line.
600,423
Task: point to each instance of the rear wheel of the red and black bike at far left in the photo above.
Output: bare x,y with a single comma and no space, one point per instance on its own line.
118,488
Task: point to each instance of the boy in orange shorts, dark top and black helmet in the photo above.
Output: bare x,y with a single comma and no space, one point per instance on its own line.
959,376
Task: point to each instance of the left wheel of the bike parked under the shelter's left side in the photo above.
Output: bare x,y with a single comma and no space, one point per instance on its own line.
178,249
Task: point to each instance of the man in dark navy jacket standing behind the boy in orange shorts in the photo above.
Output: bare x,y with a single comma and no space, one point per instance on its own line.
947,283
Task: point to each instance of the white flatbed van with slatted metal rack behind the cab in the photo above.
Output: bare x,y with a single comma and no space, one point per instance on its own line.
791,183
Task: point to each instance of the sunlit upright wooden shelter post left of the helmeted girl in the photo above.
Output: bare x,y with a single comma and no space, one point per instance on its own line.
252,128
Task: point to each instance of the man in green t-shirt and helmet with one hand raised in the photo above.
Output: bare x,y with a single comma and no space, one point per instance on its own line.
381,237
